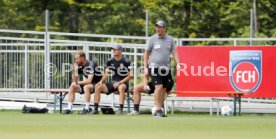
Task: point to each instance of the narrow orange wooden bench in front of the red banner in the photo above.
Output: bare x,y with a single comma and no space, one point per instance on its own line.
235,95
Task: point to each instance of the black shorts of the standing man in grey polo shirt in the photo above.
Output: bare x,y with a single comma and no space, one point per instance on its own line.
161,76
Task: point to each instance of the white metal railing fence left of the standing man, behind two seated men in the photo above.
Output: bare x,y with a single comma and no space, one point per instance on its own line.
25,60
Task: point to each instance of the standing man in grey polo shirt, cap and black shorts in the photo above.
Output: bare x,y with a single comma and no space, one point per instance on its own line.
157,63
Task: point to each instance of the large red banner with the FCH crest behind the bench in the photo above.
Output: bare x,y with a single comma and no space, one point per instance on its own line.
222,68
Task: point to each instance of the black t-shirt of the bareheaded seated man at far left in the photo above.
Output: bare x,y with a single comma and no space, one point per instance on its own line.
91,68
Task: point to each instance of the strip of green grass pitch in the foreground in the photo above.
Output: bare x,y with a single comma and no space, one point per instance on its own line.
15,125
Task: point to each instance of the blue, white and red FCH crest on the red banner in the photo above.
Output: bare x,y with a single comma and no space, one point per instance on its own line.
245,70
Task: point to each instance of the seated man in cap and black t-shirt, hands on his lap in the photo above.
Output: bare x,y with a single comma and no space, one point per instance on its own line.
119,66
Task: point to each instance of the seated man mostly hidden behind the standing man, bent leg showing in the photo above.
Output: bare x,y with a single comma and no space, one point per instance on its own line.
147,88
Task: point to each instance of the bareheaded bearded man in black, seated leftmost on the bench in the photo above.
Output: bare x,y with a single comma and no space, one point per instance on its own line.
90,70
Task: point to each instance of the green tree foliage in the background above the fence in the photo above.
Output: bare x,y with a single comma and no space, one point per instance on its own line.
186,18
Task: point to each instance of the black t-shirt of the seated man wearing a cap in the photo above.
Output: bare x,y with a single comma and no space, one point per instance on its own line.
119,69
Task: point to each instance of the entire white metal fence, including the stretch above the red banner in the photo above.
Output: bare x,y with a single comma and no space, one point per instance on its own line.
26,56
